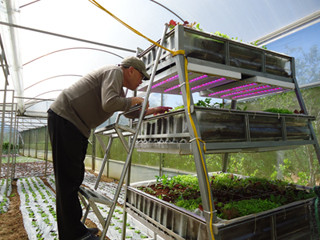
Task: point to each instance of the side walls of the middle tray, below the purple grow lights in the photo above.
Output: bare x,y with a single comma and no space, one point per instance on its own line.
224,130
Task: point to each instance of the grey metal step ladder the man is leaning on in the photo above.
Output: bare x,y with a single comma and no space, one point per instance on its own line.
89,197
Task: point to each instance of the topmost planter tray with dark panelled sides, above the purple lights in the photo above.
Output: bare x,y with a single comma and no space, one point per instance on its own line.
208,47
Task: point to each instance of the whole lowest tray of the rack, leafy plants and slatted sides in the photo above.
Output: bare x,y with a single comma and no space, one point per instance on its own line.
250,207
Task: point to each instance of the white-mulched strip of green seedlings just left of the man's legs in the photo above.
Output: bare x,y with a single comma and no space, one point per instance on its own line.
38,208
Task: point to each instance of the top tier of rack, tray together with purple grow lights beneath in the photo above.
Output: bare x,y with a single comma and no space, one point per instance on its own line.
215,62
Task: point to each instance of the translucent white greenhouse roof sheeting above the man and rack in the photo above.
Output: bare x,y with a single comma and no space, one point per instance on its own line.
51,43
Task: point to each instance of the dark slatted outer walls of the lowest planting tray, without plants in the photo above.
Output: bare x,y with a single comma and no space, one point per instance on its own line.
292,221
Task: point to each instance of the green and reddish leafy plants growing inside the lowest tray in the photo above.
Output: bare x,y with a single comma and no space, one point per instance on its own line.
233,195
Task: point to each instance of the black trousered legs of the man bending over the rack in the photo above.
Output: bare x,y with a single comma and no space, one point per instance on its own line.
68,150
